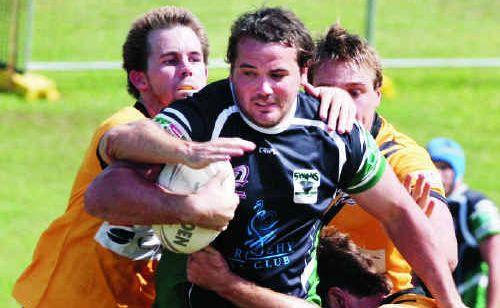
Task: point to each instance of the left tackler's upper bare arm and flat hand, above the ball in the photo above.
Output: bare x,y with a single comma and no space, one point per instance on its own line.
145,141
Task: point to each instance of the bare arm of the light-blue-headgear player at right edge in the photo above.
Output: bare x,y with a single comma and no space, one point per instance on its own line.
490,252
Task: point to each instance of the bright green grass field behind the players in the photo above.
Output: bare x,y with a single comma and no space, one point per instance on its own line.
42,144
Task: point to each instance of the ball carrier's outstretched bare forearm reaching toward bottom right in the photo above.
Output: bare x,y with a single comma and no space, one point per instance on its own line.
411,232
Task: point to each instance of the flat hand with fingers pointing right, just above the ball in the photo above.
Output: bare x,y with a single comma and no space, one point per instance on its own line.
201,154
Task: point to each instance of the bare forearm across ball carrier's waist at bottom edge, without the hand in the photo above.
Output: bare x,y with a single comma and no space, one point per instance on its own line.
243,293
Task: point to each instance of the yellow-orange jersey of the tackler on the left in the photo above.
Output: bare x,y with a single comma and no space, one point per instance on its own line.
75,263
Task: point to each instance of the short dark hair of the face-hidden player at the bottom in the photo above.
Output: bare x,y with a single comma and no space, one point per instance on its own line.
341,264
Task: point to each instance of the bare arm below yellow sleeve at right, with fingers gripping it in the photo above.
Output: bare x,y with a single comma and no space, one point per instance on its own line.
439,216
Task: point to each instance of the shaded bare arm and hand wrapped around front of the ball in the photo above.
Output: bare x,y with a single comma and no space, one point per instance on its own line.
127,193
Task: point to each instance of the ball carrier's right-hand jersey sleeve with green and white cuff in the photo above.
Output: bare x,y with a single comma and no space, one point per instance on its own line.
364,163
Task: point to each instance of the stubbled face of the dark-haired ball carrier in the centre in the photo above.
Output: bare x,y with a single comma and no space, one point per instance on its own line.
266,78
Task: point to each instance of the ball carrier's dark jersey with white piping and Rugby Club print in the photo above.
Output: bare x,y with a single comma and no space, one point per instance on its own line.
285,186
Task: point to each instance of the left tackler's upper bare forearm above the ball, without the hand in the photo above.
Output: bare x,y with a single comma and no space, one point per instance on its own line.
142,141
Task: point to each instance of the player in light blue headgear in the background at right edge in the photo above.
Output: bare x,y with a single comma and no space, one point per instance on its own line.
477,225
